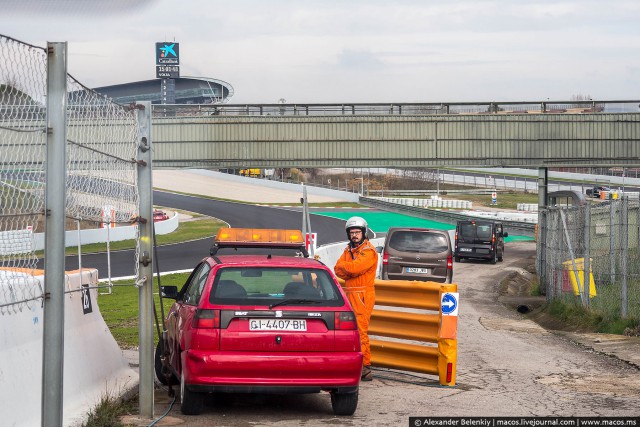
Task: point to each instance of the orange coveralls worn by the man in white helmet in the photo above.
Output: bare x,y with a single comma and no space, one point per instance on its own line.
357,266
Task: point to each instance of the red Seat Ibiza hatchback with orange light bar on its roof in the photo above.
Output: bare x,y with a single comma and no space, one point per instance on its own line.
260,324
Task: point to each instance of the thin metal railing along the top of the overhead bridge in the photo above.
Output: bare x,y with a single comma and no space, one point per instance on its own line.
428,108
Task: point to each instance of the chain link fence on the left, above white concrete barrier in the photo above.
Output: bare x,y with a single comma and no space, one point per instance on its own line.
101,176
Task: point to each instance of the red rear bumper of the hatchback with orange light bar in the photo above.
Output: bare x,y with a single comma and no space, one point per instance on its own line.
288,372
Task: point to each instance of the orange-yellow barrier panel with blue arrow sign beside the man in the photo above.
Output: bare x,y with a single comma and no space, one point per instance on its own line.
439,328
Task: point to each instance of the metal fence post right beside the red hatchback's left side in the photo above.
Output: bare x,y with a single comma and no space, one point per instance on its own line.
145,274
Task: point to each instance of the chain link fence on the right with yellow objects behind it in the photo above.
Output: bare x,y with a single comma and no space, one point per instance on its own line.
600,238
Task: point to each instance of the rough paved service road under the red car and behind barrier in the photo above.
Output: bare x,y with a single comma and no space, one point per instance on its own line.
507,366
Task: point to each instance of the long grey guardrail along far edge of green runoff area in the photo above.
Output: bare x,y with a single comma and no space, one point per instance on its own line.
523,228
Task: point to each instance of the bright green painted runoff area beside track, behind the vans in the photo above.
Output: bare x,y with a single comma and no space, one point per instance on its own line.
380,222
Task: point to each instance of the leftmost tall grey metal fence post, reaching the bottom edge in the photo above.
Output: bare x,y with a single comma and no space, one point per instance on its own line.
55,200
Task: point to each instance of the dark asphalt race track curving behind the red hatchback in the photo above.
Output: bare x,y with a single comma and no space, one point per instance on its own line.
184,256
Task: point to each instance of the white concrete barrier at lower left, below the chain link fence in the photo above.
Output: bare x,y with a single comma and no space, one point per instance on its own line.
93,363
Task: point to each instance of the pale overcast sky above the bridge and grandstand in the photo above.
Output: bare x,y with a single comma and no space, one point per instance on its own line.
325,51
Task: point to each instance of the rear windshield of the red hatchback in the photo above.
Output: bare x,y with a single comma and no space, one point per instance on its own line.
272,285
